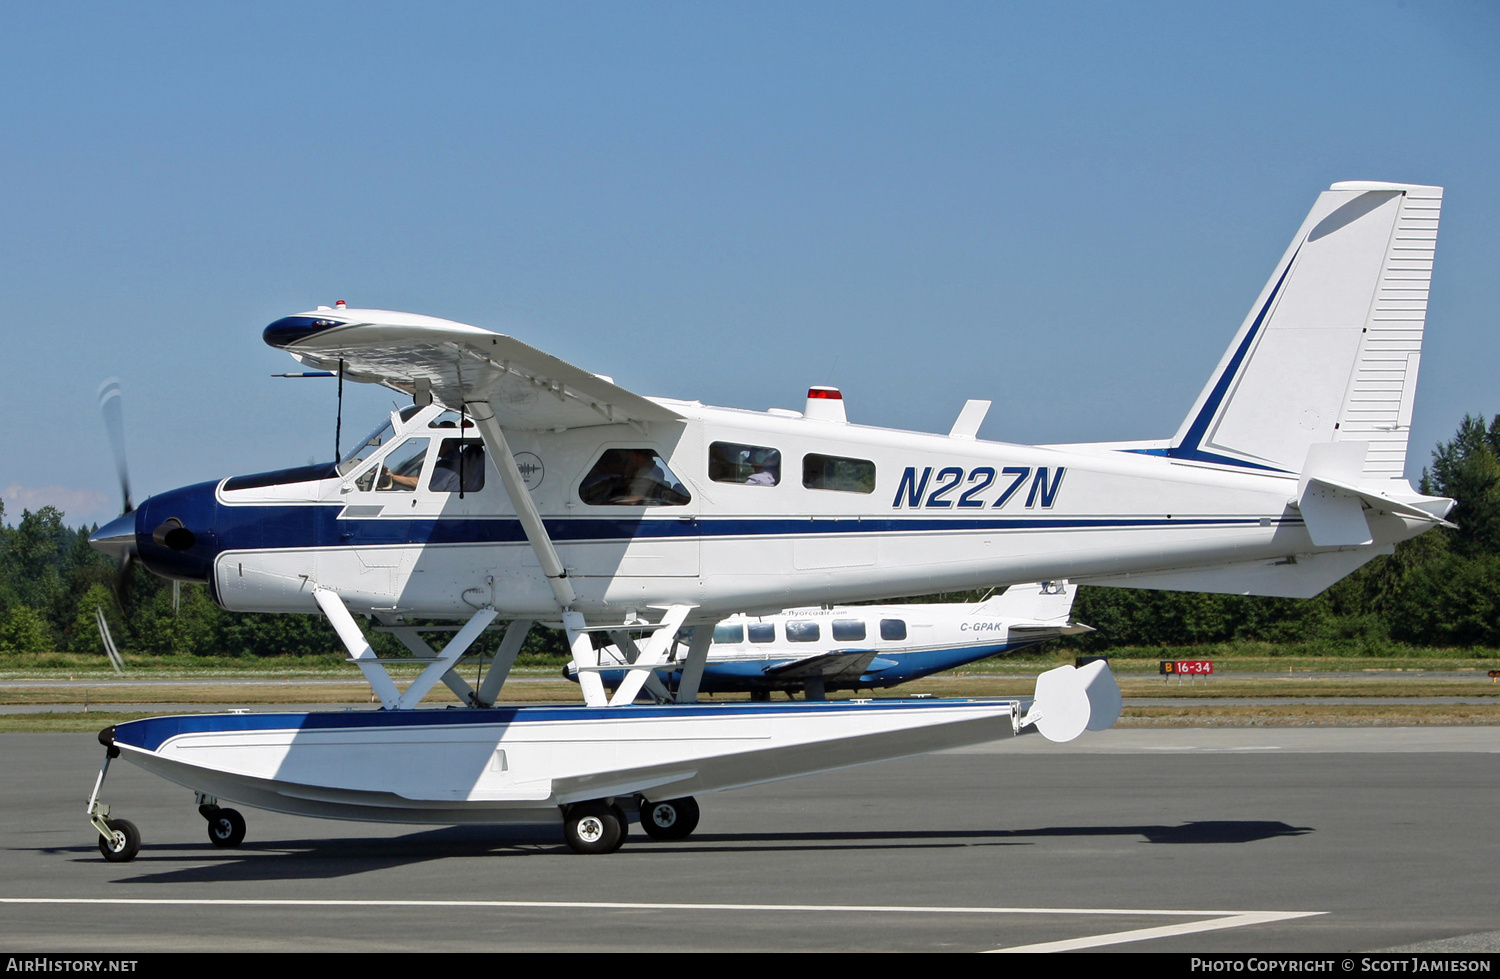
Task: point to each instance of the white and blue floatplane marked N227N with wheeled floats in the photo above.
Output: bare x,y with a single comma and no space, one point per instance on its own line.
520,488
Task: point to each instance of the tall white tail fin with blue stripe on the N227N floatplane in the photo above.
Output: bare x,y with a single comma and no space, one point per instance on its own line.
1330,352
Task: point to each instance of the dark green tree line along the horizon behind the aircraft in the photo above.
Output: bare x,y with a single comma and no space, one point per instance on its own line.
1438,590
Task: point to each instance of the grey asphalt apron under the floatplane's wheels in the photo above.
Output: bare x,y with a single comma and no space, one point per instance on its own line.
1127,840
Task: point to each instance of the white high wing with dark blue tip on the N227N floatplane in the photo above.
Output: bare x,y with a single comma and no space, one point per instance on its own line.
455,365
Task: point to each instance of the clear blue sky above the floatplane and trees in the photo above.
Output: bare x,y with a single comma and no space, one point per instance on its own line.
1063,208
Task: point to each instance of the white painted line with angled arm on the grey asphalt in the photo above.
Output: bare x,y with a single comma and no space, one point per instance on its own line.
1214,920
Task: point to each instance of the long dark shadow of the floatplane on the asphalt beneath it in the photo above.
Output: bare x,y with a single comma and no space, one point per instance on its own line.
302,860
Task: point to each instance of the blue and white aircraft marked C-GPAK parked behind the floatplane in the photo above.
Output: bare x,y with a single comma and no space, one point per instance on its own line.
865,647
